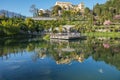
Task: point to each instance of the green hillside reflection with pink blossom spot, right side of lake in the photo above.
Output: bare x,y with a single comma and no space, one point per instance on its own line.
111,54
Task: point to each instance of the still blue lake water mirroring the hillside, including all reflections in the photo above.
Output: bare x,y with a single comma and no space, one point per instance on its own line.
36,59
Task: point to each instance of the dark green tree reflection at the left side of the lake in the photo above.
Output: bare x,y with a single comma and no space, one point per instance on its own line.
15,46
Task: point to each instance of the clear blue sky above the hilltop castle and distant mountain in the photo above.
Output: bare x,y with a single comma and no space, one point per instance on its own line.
23,6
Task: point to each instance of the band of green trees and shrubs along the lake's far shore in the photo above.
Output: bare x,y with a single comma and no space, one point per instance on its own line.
16,26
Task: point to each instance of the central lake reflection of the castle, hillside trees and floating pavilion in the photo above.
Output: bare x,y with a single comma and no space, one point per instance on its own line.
62,52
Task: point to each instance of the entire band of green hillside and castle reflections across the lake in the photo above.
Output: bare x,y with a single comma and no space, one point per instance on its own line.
64,52
